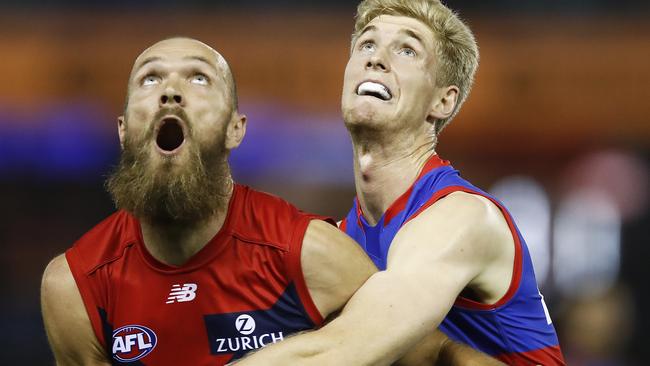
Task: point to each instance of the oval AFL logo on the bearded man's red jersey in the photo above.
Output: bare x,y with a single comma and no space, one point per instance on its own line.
132,342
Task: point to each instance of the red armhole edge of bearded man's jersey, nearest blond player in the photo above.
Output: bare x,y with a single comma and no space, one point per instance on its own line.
294,268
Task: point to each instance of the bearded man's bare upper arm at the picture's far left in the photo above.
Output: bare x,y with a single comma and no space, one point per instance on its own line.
66,322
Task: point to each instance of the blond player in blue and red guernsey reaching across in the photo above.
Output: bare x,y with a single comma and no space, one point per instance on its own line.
451,255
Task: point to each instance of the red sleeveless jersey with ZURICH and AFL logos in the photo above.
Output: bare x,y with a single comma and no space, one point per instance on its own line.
242,291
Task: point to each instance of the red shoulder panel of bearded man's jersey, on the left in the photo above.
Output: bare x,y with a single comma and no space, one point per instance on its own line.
104,242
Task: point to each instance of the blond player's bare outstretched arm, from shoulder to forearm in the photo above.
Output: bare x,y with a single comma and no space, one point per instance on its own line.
431,260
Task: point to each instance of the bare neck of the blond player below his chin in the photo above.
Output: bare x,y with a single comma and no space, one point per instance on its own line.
384,169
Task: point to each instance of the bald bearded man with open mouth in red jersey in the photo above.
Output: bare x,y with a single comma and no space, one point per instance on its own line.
192,269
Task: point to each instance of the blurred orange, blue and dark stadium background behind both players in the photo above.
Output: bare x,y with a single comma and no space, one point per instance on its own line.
557,126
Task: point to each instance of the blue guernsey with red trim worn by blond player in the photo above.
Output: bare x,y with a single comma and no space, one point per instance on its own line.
517,329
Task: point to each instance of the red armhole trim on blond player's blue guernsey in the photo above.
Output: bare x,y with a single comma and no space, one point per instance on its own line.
515,280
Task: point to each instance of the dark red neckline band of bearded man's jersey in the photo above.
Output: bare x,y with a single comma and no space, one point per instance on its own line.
205,254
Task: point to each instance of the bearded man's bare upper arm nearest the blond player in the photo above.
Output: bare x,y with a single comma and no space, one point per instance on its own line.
334,266
